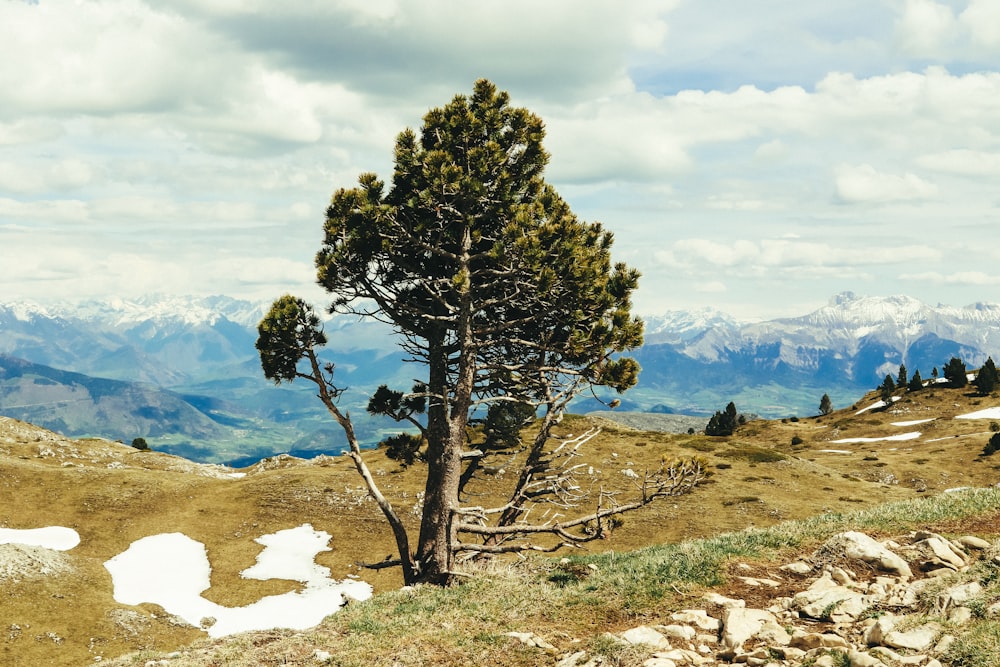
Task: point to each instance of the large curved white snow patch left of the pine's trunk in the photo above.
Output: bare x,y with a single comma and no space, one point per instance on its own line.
172,570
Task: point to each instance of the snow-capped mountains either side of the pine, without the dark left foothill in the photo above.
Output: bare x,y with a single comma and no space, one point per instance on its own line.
693,361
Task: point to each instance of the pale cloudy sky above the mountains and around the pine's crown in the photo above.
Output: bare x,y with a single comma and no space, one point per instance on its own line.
755,157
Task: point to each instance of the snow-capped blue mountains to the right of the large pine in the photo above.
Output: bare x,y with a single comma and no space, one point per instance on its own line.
843,348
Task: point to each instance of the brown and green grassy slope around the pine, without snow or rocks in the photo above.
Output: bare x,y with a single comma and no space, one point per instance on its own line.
113,495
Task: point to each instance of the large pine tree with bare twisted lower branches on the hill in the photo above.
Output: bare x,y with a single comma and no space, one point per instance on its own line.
503,296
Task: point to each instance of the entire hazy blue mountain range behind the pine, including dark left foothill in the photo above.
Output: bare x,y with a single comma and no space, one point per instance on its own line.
187,372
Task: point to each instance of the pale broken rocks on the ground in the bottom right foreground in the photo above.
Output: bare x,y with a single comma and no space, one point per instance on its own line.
856,602
